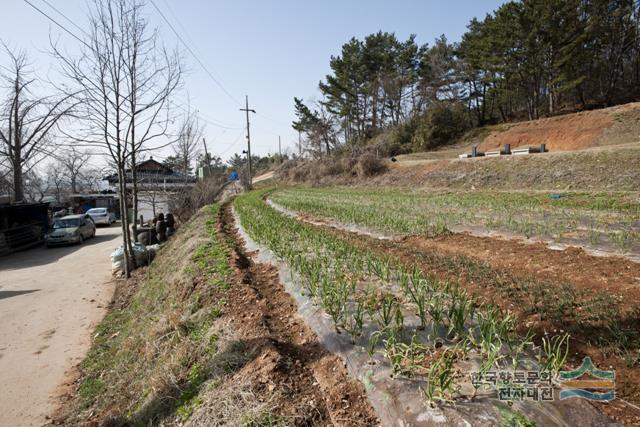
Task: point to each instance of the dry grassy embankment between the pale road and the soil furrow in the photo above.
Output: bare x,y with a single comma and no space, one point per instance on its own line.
152,354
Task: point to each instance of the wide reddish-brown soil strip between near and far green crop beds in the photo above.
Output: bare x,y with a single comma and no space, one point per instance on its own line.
592,298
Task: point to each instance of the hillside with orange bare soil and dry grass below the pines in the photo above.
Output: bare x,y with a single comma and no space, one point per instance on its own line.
592,150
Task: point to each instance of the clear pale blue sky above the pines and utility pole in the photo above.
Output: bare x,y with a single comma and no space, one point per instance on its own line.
269,50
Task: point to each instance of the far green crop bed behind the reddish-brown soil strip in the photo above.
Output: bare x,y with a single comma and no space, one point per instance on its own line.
597,219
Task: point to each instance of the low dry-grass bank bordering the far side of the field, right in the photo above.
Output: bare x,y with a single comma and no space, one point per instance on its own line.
579,170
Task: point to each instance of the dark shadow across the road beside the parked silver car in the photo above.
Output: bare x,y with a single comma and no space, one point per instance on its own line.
41,255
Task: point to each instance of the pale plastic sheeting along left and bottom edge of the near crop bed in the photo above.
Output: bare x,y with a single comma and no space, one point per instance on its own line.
399,401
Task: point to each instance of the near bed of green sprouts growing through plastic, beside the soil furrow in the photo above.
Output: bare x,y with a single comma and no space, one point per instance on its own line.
353,277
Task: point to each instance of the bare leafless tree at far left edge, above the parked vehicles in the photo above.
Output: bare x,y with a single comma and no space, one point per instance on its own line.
26,120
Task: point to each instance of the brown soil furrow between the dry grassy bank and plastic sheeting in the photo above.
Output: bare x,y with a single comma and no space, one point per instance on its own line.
291,356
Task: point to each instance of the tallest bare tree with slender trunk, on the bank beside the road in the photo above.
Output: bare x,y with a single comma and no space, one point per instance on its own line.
124,79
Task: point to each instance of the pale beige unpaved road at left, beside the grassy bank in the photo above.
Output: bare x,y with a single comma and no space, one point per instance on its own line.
50,302
